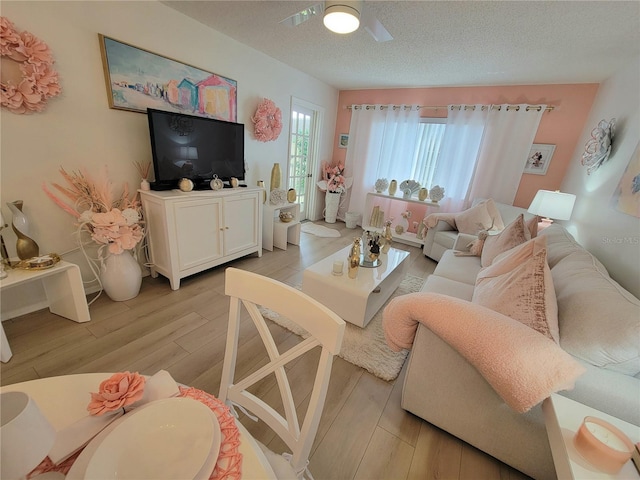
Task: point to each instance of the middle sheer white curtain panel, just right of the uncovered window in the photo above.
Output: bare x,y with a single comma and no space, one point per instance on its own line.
459,153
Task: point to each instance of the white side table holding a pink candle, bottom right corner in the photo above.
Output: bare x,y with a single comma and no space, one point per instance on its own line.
563,417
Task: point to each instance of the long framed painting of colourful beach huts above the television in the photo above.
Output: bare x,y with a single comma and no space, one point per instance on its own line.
138,79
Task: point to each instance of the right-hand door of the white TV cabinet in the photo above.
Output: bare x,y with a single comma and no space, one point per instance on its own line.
241,222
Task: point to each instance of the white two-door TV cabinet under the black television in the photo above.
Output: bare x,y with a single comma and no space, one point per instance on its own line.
189,232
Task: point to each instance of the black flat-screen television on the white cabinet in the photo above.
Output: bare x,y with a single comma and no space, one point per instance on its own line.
186,146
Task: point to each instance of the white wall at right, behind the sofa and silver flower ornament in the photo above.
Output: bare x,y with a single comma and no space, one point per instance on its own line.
613,237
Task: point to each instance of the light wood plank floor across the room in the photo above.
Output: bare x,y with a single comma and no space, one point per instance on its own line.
364,433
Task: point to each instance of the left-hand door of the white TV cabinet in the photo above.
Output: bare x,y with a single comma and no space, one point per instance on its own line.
198,231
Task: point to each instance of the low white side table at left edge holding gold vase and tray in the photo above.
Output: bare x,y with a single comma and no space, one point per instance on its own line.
63,287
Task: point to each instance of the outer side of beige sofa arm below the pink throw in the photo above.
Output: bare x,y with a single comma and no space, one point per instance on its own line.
447,391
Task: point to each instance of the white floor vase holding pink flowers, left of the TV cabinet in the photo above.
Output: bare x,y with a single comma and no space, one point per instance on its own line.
121,276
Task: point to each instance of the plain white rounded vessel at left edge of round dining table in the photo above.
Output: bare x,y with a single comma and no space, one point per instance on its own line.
26,436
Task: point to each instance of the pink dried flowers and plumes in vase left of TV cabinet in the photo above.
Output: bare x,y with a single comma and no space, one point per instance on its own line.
113,223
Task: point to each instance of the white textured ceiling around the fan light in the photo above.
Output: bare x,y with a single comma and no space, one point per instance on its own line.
440,43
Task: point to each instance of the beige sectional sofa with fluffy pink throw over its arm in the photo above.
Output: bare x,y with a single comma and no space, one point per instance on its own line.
599,325
